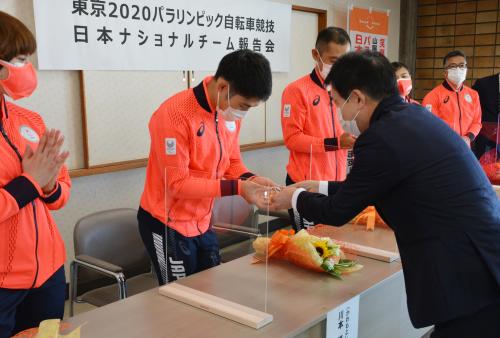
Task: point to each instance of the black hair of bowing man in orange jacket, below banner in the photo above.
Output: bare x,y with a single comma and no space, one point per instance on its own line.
248,73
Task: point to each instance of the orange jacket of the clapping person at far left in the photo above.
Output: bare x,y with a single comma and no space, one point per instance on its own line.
31,247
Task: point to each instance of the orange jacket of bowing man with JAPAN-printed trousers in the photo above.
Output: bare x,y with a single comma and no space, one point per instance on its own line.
194,158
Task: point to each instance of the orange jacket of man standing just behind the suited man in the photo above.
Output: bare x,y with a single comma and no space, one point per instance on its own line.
309,122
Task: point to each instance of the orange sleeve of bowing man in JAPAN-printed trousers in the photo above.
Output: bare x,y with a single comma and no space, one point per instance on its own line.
171,149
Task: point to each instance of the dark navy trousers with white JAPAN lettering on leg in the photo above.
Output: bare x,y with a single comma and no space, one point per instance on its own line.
175,256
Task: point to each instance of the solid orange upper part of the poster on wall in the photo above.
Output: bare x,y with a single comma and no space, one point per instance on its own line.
361,20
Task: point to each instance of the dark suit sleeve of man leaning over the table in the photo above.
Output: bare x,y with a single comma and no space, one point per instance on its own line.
369,179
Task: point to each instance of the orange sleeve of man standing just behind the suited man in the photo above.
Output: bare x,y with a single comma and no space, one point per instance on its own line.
293,116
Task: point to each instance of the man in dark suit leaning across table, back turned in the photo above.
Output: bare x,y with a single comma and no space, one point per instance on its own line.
428,187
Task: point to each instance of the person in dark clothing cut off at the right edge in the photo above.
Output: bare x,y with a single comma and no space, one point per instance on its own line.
489,95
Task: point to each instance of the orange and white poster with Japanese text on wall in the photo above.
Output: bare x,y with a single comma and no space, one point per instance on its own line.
369,29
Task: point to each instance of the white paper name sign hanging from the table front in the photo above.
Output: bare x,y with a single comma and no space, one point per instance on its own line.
342,322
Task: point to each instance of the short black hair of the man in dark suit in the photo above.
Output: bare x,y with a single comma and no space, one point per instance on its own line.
367,71
